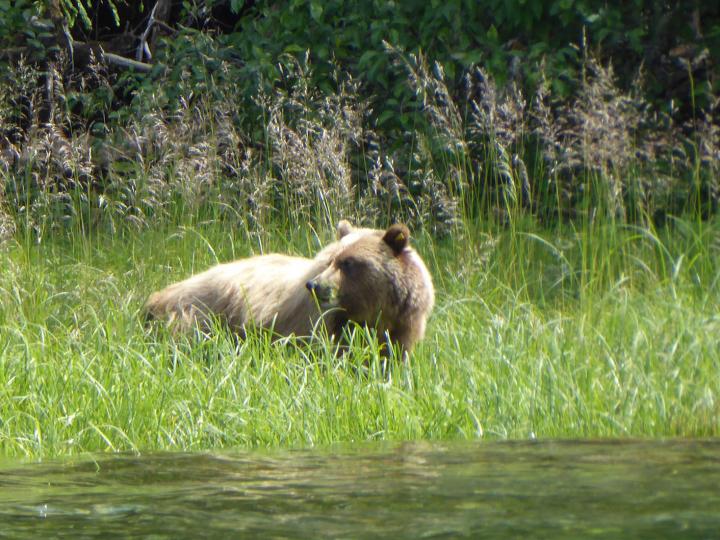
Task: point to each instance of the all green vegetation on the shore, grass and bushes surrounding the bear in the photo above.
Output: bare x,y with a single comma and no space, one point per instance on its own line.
567,214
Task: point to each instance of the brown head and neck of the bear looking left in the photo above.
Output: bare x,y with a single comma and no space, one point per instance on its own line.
375,278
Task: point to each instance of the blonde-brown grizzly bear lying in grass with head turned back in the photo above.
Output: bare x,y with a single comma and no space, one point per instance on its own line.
367,276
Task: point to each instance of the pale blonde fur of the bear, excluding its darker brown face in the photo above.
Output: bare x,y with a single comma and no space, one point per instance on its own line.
271,291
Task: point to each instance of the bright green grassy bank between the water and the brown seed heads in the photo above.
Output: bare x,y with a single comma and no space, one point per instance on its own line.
601,330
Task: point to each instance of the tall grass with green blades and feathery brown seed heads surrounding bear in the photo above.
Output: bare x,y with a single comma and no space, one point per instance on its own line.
570,303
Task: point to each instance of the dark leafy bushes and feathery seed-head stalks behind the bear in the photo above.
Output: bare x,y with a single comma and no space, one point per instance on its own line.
379,110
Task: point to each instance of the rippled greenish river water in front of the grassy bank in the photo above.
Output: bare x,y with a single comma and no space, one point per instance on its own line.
555,489
